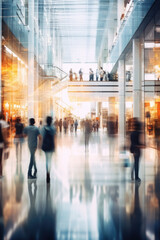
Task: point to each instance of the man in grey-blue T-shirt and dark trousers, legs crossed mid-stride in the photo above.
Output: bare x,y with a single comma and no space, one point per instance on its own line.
33,134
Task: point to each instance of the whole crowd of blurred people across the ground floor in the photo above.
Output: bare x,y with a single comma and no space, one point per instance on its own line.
44,137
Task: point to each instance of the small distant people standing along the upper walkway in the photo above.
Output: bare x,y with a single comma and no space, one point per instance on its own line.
99,75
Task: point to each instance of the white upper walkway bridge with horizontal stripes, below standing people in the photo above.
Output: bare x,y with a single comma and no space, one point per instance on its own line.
89,90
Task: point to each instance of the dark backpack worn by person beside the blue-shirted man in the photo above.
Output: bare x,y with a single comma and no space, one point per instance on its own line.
48,141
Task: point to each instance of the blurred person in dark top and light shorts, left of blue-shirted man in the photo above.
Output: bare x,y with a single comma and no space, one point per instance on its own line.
19,138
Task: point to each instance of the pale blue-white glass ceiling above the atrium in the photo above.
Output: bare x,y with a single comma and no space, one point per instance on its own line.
79,26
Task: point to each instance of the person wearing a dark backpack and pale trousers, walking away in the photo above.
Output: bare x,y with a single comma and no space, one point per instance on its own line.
48,145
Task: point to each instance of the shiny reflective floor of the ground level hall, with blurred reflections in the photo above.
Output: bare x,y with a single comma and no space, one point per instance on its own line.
90,195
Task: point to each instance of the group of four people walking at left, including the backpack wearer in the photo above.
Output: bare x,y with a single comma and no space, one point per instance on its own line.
44,136
